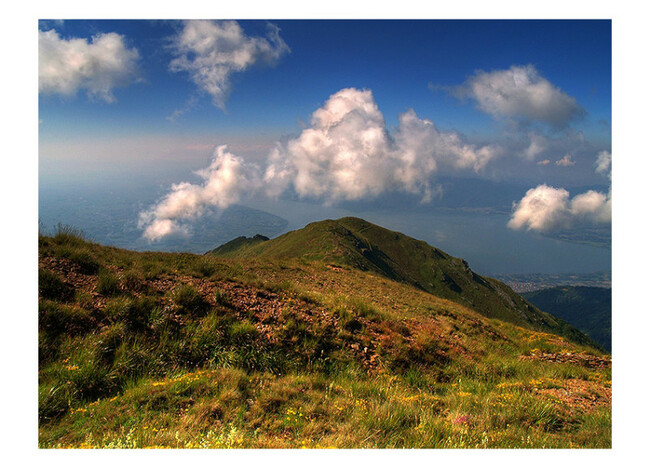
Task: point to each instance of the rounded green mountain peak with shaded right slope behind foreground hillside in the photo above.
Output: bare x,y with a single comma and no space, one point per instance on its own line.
361,245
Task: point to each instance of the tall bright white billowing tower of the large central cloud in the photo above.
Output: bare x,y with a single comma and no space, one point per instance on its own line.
343,155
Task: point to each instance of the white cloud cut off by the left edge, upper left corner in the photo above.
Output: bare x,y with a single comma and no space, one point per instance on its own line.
66,66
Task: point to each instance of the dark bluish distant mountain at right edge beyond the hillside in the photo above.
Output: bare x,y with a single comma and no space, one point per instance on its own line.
586,308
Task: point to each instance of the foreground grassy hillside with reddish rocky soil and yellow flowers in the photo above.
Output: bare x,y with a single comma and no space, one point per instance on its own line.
313,349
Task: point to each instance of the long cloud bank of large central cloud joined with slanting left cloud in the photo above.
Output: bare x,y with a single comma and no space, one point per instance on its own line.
346,153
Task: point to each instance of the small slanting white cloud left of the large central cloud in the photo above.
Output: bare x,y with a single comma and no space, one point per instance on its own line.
224,181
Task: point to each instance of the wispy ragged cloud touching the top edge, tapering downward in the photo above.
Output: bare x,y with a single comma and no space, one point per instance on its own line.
211,51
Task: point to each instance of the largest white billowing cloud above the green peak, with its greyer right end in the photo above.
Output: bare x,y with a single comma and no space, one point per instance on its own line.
348,154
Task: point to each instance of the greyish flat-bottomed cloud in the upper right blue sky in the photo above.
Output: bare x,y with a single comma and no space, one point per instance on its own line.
520,93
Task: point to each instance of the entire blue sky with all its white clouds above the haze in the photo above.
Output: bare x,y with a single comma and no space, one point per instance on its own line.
330,112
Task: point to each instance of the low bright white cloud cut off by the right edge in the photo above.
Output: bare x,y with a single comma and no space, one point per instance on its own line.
545,208
